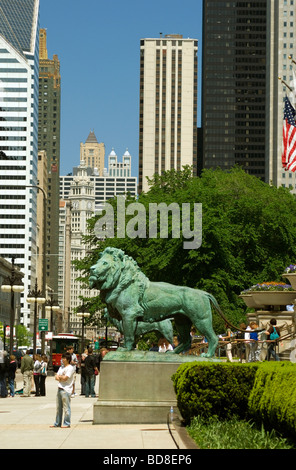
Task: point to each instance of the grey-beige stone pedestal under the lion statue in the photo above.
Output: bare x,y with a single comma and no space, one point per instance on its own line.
135,393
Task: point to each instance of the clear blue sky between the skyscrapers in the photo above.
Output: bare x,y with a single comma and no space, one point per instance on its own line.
98,45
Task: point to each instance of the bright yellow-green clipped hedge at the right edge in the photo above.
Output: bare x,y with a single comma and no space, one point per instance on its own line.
273,398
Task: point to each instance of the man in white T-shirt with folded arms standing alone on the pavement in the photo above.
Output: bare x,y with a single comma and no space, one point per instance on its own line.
64,376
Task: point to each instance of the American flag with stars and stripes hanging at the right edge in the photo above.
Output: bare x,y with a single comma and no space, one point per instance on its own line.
289,137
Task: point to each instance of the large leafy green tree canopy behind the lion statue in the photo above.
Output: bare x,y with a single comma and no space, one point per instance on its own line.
248,235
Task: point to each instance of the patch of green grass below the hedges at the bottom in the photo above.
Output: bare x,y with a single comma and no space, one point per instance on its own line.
234,434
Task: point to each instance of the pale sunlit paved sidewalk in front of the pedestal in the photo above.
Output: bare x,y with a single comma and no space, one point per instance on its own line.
25,424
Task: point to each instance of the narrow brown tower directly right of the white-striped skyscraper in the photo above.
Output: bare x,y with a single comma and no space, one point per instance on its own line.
49,141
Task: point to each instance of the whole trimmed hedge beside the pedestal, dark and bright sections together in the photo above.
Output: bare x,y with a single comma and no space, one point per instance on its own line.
265,392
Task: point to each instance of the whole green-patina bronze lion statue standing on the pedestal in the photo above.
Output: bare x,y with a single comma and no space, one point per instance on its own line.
131,298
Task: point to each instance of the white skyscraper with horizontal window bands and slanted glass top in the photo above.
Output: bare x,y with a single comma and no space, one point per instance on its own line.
19,49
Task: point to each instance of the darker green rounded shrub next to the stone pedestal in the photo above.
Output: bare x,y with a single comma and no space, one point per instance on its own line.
211,389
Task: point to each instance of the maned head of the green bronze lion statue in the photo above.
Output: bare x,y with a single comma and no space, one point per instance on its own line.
115,269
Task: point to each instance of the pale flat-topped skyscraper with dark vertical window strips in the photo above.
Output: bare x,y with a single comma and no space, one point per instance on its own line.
168,105
